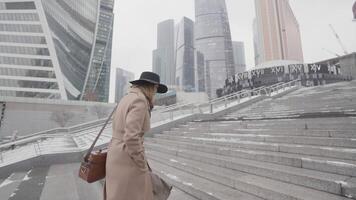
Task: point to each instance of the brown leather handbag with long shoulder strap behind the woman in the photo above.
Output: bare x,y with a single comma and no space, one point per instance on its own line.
93,165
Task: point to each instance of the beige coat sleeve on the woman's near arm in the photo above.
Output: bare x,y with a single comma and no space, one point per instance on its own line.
134,123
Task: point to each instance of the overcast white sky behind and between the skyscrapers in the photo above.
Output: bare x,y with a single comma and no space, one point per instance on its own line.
135,29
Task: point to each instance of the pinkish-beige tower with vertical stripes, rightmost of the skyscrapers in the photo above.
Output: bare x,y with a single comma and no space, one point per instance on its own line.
278,32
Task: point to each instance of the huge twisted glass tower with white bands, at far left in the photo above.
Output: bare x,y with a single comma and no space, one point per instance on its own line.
55,49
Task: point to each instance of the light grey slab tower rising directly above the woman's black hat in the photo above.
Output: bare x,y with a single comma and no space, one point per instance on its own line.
163,57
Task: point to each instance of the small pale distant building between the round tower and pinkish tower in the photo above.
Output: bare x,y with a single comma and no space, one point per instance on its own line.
239,56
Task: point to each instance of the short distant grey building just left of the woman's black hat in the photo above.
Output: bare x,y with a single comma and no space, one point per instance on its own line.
122,83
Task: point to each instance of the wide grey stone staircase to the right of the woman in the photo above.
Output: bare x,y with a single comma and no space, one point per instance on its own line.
285,148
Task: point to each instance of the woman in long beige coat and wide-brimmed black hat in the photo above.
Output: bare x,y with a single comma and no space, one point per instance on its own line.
127,174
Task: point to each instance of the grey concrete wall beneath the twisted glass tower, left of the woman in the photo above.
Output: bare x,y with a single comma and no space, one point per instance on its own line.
31,116
